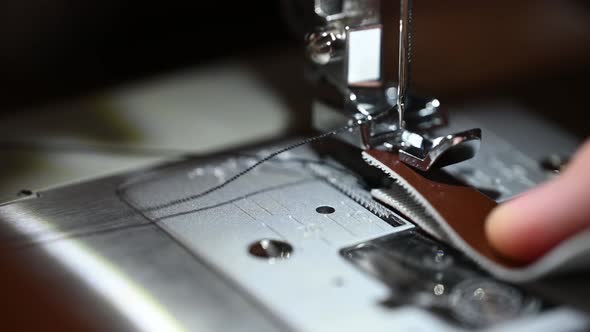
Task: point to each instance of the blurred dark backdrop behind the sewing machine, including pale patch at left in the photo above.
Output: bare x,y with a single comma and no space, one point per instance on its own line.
94,87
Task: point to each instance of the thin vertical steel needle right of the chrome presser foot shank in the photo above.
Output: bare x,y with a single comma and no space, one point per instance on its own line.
404,57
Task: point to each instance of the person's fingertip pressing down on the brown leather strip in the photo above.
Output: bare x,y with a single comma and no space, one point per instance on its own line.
528,226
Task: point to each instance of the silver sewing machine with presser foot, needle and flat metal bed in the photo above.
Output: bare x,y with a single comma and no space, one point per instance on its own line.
296,243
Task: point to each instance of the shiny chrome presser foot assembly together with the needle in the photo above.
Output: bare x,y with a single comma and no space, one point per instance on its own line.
346,51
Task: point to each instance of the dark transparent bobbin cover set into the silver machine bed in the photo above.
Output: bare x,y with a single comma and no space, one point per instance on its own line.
431,275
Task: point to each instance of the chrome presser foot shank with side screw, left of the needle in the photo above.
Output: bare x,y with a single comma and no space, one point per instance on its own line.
345,49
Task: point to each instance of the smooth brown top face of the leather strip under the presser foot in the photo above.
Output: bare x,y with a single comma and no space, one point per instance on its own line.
463,208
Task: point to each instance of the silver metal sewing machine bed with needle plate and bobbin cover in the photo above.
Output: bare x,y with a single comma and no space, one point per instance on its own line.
296,245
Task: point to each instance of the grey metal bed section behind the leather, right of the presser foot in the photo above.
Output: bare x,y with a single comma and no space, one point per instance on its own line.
508,160
